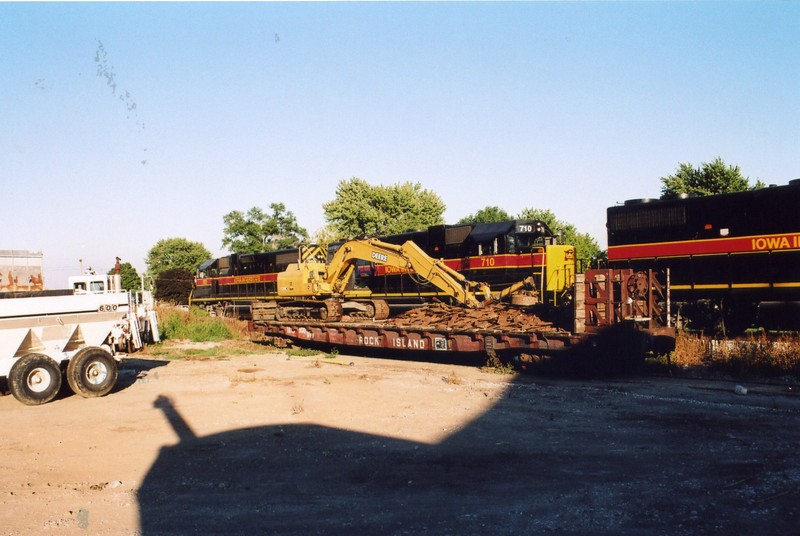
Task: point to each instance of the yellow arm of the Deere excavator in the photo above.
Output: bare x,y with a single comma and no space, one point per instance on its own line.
408,256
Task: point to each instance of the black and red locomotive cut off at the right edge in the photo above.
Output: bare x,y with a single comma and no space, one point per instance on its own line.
733,259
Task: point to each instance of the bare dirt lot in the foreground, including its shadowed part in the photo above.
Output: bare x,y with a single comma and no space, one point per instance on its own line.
264,444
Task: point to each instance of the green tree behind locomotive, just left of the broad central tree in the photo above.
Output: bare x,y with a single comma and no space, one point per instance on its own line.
259,231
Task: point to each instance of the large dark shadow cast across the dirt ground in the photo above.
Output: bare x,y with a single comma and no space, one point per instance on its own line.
564,456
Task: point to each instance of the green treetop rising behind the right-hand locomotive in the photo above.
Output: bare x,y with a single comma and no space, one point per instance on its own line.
707,179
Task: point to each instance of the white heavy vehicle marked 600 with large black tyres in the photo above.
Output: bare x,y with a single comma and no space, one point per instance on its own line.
78,333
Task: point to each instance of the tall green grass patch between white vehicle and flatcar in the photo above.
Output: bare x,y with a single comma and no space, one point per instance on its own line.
196,325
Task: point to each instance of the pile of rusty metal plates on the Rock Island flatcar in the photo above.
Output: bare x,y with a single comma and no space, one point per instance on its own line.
496,316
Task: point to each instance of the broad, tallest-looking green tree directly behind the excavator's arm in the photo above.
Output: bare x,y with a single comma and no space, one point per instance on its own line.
362,210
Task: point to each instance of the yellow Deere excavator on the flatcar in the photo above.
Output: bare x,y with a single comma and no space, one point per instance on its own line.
316,290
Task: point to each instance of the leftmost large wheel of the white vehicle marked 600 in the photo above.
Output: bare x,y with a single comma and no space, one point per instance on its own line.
34,379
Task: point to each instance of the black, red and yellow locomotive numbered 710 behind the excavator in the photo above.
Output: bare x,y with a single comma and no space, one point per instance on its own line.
498,254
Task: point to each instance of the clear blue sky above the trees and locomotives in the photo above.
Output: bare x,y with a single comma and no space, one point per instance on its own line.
126,123
